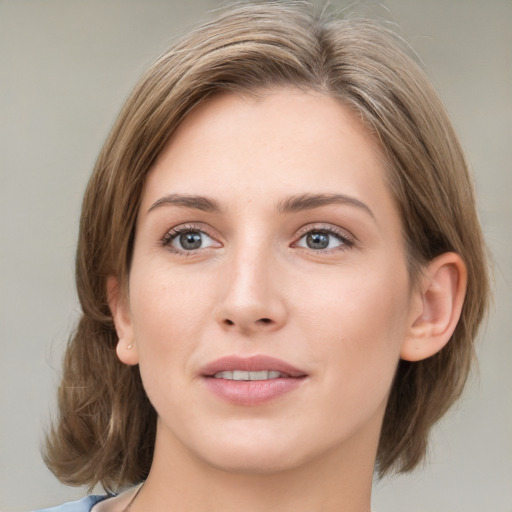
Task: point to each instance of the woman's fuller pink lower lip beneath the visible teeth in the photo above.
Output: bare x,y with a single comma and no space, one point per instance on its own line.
252,392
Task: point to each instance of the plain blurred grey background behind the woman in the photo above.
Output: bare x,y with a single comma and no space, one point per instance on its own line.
66,67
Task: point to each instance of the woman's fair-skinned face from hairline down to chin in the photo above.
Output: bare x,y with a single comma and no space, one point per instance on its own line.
269,295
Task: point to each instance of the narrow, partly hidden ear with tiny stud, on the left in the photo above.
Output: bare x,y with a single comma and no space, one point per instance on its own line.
119,307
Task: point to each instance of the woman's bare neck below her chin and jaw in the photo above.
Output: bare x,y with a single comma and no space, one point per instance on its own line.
336,481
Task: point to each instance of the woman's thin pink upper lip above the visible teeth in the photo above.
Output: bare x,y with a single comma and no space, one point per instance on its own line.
251,364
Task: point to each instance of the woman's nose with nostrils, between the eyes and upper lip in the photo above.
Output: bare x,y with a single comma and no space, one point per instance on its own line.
252,298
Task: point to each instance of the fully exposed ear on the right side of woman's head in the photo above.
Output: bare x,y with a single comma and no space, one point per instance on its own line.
441,296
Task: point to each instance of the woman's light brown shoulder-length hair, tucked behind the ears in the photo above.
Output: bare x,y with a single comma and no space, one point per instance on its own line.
105,429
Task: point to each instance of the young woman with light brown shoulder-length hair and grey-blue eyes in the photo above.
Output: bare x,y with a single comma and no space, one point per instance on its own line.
281,273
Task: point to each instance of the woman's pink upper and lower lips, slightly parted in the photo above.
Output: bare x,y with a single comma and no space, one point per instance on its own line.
248,393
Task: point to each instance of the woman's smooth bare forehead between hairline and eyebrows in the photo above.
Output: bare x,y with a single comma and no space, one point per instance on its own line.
281,141
